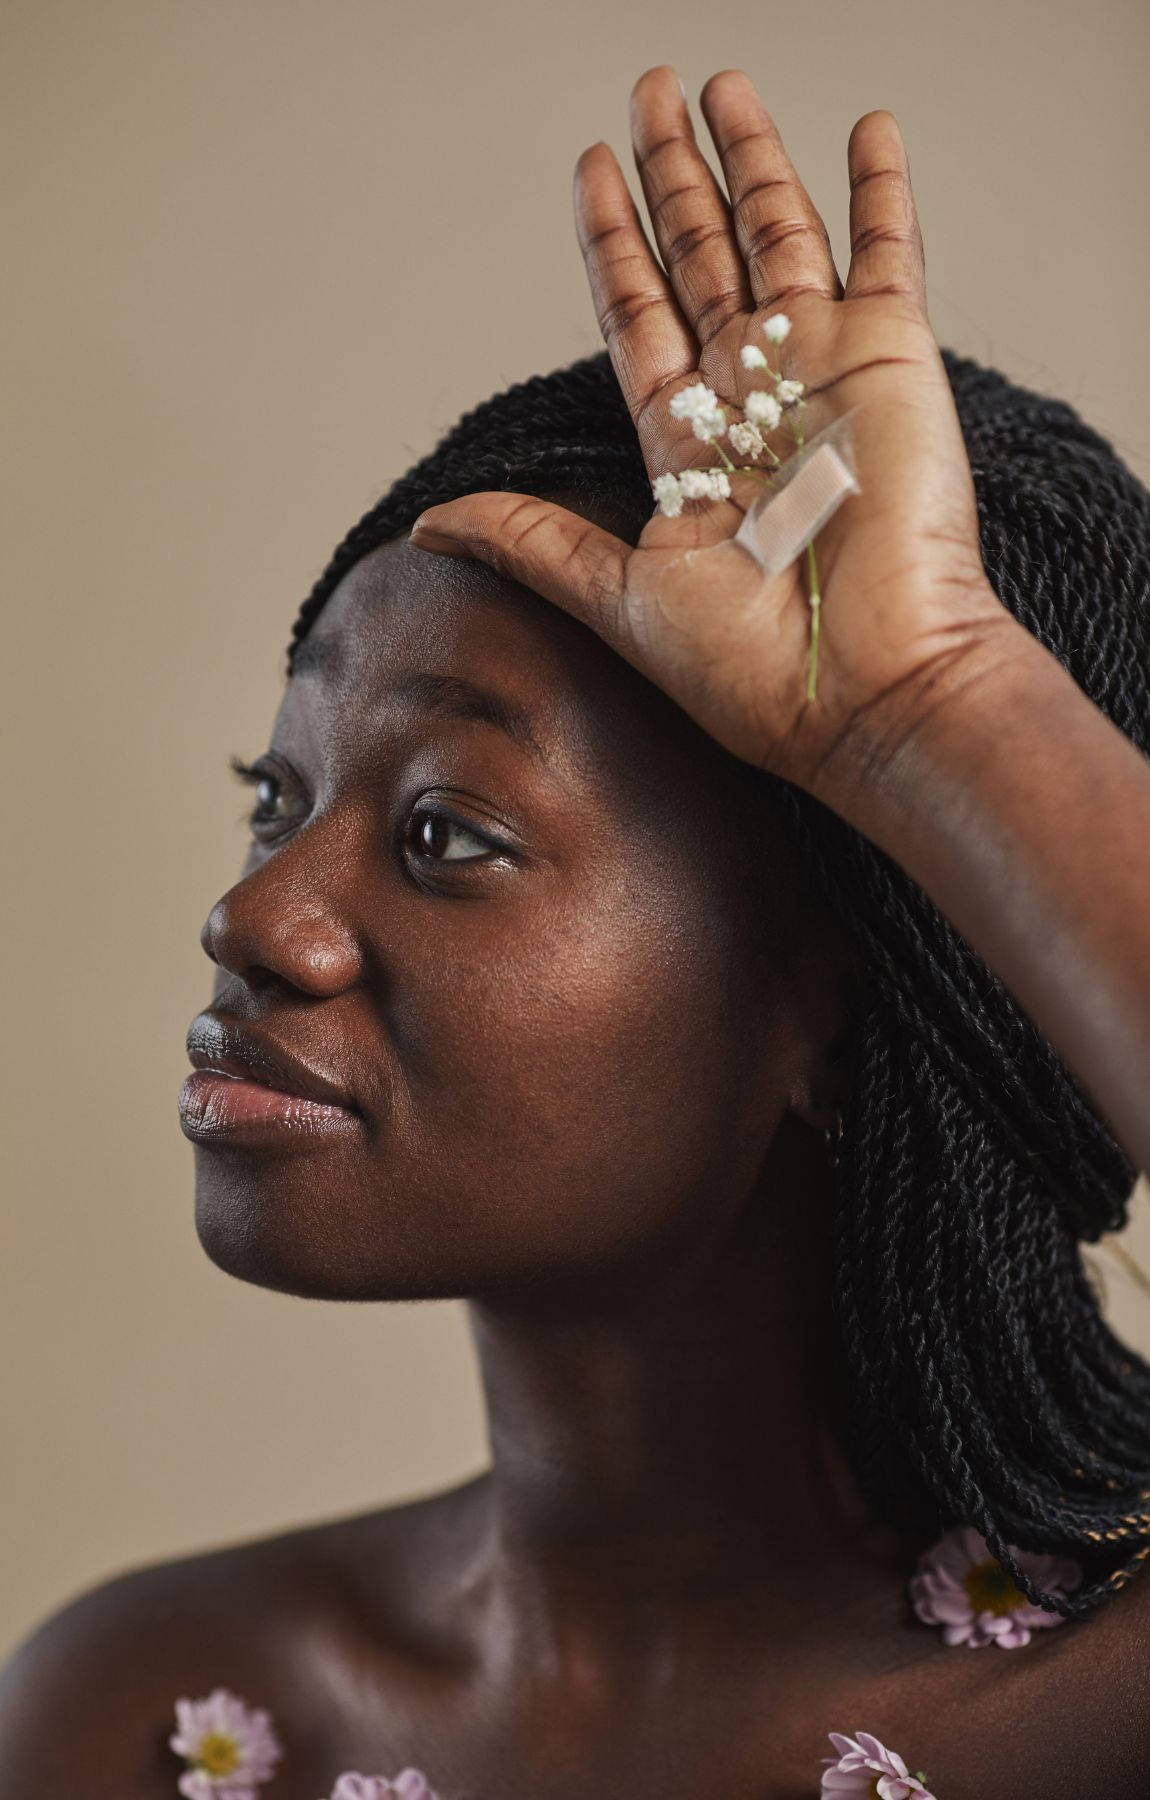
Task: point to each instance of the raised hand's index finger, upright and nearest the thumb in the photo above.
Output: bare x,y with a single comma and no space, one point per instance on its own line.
649,341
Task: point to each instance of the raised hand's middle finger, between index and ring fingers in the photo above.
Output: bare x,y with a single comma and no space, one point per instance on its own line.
690,213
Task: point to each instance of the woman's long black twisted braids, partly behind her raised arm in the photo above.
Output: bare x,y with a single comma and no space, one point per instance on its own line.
985,1383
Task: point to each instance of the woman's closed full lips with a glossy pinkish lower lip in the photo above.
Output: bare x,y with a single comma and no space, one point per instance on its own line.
246,1088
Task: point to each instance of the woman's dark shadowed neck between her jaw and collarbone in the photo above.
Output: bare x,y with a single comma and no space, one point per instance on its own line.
687,1443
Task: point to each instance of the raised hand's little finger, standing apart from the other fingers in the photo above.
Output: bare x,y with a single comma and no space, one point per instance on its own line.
886,242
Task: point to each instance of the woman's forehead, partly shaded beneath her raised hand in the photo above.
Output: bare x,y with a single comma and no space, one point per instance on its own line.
406,615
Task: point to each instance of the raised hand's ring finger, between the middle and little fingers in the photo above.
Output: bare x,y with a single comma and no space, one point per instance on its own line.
780,231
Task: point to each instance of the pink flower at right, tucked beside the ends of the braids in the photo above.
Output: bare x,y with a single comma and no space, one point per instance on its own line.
967,1592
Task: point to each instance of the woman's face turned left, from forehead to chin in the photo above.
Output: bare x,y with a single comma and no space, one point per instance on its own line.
546,939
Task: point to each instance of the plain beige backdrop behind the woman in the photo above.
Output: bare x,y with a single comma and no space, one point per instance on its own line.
258,256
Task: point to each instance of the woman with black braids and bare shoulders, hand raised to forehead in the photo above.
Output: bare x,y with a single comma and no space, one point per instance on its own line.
584,967
